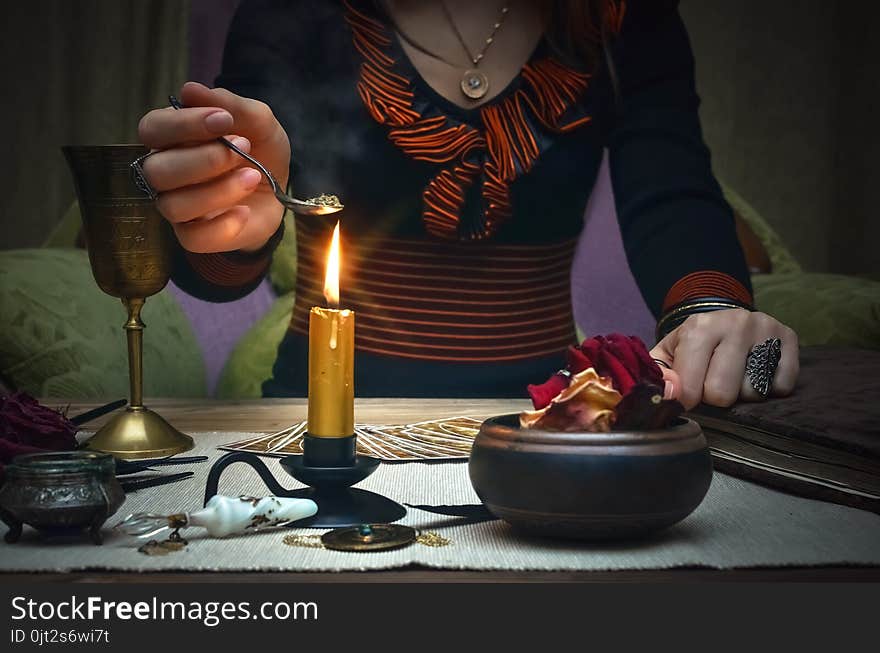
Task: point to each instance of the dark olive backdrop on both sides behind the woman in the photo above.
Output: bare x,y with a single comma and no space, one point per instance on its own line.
790,89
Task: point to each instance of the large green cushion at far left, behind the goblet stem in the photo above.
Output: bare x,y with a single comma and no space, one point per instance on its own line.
60,336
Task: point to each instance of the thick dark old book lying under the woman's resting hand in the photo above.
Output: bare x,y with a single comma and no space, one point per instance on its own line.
822,442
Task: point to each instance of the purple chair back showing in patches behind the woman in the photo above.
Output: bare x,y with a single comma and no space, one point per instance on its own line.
605,296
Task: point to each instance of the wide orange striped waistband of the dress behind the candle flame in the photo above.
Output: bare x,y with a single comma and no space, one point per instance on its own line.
442,300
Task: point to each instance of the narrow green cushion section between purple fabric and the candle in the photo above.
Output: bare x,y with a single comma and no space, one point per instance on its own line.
250,363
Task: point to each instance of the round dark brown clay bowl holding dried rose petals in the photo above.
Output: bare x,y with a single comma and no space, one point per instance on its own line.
592,486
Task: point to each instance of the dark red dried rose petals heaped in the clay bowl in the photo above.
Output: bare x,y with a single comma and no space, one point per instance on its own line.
623,359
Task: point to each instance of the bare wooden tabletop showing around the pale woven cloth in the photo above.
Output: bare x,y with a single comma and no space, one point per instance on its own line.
269,415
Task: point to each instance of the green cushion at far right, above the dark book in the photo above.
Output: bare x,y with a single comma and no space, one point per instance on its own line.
824,309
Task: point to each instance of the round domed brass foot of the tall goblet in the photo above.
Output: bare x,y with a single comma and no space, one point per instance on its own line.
139,433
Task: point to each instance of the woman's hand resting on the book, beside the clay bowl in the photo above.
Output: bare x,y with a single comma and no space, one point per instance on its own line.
707,356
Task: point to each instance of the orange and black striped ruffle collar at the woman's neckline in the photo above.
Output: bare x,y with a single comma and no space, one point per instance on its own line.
514,129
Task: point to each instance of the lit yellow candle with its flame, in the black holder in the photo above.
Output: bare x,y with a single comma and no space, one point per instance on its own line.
331,358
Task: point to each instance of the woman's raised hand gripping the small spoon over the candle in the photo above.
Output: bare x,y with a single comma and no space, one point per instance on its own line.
212,198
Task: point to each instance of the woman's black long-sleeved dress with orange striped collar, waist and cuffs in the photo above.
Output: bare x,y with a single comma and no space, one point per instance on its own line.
456,267
